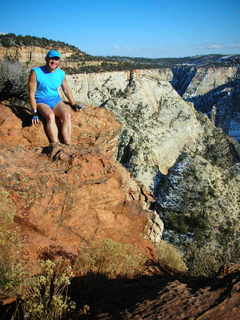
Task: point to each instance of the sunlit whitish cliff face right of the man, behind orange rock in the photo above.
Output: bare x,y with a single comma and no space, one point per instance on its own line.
157,123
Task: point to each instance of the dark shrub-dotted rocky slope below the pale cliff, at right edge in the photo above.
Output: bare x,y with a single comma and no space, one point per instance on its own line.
199,198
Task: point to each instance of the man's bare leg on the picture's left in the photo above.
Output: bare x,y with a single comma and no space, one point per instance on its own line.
49,116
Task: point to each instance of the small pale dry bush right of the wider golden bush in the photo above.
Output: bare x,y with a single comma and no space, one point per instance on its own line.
168,255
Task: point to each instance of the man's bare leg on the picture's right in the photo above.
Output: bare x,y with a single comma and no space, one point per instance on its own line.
62,111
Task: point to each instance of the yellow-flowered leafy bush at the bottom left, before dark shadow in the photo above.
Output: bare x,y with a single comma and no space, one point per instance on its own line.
46,294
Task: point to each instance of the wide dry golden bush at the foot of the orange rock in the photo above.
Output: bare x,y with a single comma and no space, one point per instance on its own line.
111,259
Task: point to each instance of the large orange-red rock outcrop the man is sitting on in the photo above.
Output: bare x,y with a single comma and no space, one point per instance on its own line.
65,198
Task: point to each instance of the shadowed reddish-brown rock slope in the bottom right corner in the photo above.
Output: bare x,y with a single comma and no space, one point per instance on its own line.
163,297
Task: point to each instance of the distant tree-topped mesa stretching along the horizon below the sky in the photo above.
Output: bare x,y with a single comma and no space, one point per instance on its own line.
32,50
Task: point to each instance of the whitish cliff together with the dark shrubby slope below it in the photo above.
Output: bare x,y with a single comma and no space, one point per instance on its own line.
163,133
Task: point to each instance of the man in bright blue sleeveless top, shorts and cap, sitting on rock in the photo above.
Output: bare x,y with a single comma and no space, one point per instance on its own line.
44,83
